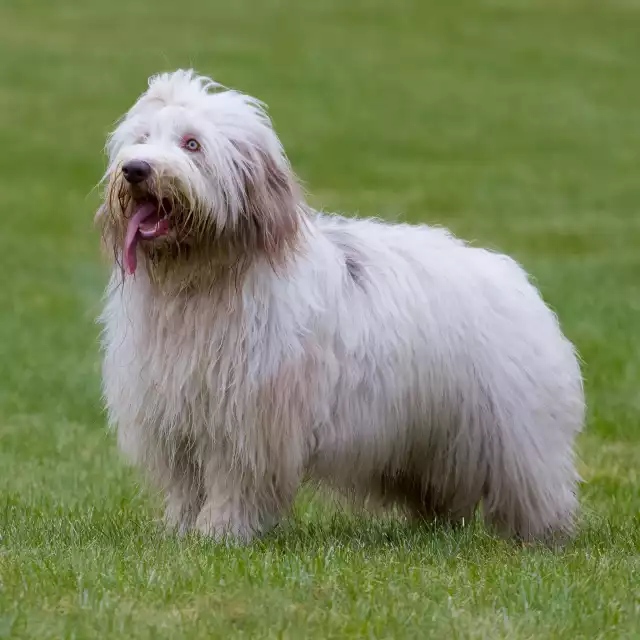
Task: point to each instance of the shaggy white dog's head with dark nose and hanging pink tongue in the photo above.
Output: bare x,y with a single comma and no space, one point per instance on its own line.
196,173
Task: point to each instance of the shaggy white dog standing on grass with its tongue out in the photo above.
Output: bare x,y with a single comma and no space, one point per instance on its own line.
251,343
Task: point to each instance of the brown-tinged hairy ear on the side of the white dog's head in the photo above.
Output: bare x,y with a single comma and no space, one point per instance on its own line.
269,219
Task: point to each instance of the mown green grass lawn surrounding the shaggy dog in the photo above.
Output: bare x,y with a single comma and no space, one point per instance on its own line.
514,122
